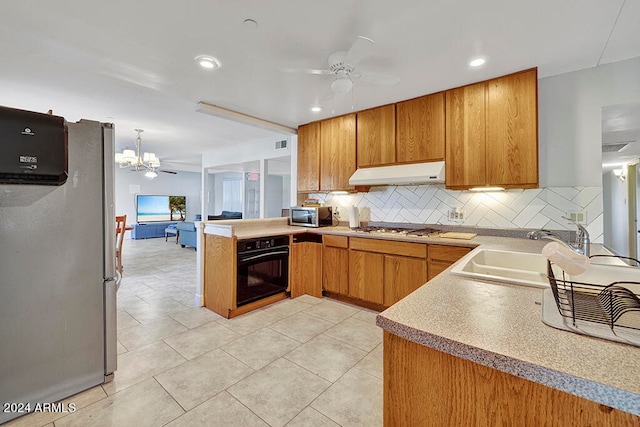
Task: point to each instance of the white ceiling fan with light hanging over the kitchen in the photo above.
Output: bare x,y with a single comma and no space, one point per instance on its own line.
342,65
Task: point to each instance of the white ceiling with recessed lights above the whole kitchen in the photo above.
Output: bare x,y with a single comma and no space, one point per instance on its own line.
132,62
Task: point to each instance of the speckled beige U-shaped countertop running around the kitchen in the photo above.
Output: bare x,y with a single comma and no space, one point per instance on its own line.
496,325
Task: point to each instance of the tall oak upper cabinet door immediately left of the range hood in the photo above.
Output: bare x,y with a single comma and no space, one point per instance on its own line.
337,152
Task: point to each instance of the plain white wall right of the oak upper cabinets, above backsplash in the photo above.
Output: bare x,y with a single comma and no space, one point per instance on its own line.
570,120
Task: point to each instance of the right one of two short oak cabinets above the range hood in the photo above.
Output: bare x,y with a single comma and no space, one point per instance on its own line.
420,129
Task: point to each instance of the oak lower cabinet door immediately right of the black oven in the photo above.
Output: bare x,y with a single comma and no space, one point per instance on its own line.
305,269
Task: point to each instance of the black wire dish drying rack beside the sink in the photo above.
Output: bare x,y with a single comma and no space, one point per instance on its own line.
602,304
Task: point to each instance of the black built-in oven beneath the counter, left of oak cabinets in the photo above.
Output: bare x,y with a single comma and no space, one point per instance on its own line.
263,268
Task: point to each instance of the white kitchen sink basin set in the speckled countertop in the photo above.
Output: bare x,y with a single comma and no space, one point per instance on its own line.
521,268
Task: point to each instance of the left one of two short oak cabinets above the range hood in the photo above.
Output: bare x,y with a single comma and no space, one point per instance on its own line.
376,136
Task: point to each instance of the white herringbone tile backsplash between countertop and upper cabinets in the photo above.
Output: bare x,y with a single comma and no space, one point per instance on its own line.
431,204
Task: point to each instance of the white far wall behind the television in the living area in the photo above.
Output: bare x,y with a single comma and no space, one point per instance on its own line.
128,184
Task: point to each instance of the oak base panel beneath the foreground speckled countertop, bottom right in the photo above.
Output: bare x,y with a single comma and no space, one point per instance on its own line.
426,387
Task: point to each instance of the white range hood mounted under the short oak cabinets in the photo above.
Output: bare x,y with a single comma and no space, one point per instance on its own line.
410,174
